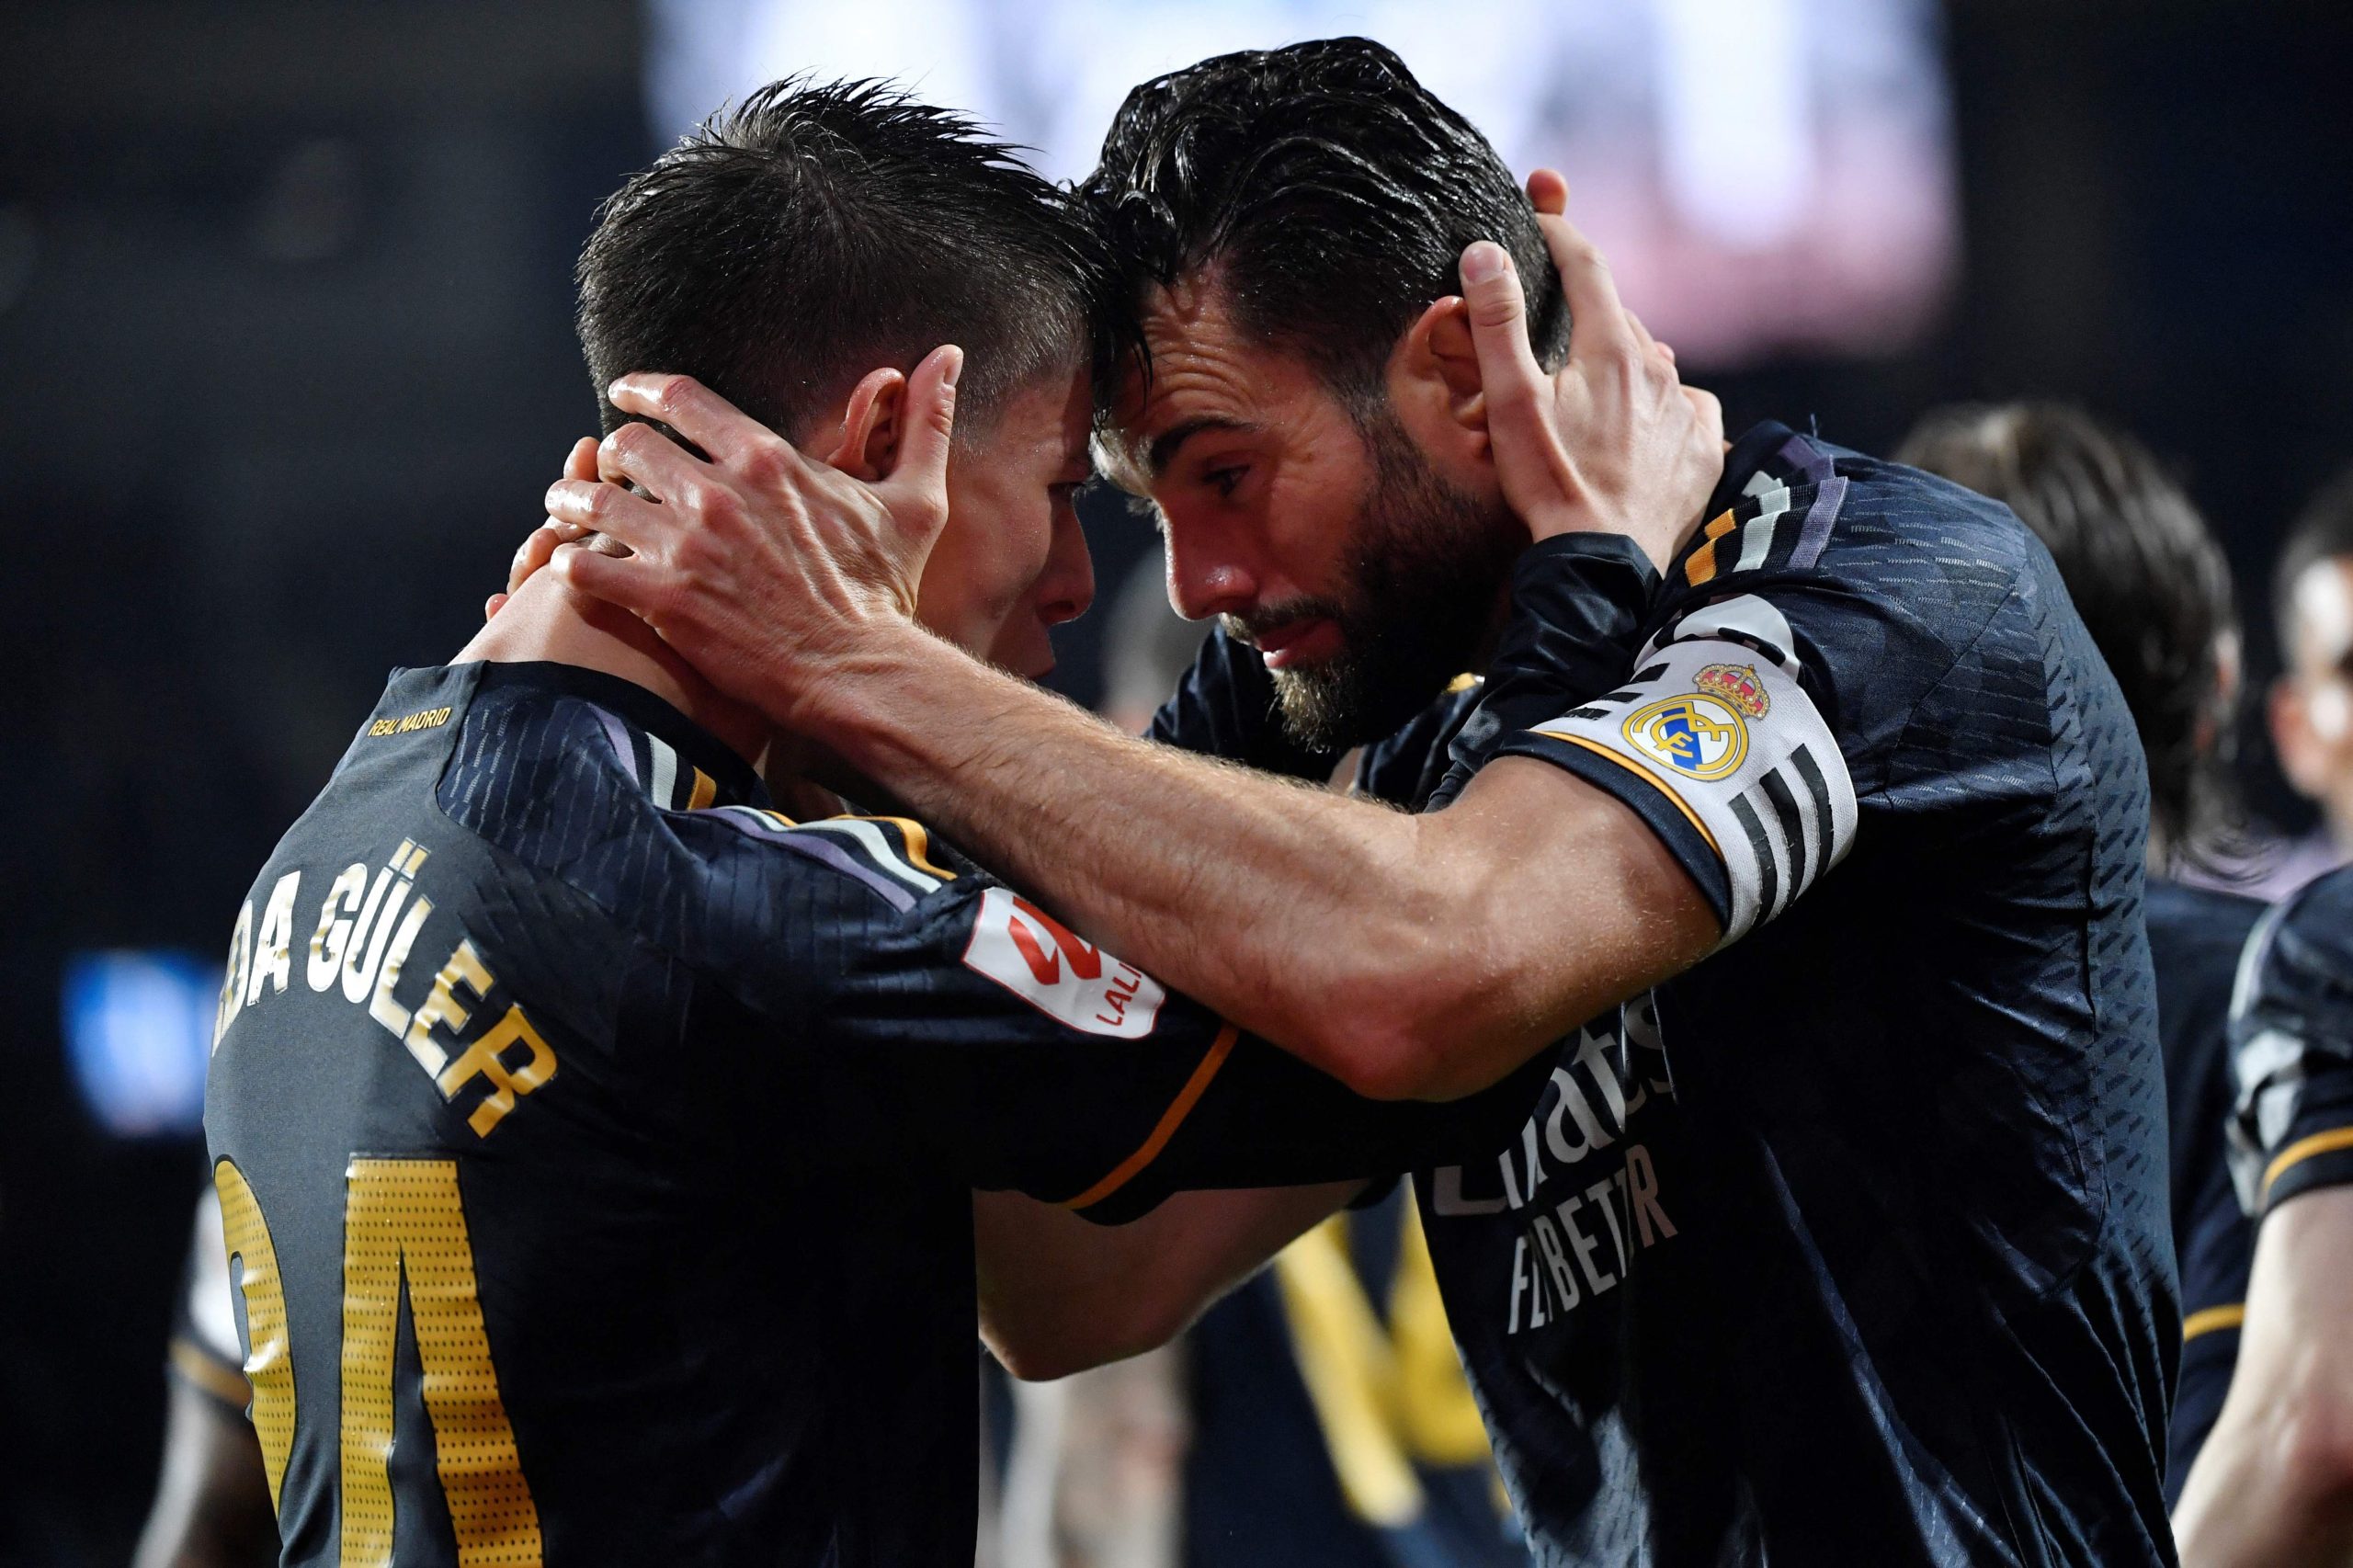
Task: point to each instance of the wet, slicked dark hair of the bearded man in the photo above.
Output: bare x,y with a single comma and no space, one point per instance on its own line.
1326,190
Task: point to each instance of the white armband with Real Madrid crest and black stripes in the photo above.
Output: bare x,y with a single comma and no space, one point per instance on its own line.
1738,745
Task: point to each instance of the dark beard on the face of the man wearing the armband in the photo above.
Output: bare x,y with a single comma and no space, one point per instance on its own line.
1418,602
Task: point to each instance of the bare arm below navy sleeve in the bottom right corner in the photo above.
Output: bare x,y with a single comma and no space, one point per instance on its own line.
2274,1482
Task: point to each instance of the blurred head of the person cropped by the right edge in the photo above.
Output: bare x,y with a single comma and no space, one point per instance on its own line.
2312,703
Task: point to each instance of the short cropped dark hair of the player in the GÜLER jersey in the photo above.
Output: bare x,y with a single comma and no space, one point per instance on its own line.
820,232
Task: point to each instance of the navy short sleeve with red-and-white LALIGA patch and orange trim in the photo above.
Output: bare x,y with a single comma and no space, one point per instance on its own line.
1032,1058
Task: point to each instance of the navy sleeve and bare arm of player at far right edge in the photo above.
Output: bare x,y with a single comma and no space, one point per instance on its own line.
2274,1484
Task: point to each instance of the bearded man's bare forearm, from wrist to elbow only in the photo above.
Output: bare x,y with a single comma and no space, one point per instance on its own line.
1286,908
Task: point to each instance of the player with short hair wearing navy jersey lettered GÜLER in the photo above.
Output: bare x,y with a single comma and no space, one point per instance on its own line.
594,1141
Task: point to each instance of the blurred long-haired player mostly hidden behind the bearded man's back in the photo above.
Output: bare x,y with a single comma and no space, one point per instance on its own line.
2157,594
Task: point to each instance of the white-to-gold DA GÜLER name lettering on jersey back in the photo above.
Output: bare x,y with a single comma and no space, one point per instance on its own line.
361,945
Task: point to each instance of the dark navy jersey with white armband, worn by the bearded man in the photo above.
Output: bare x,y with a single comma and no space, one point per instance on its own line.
1853,1242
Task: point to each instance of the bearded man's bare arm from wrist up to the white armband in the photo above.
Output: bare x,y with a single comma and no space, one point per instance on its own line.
1408,957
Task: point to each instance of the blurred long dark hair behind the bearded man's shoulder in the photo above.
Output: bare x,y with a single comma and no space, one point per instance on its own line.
2145,573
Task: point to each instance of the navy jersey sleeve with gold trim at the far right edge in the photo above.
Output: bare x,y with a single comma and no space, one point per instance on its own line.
2293,1049
